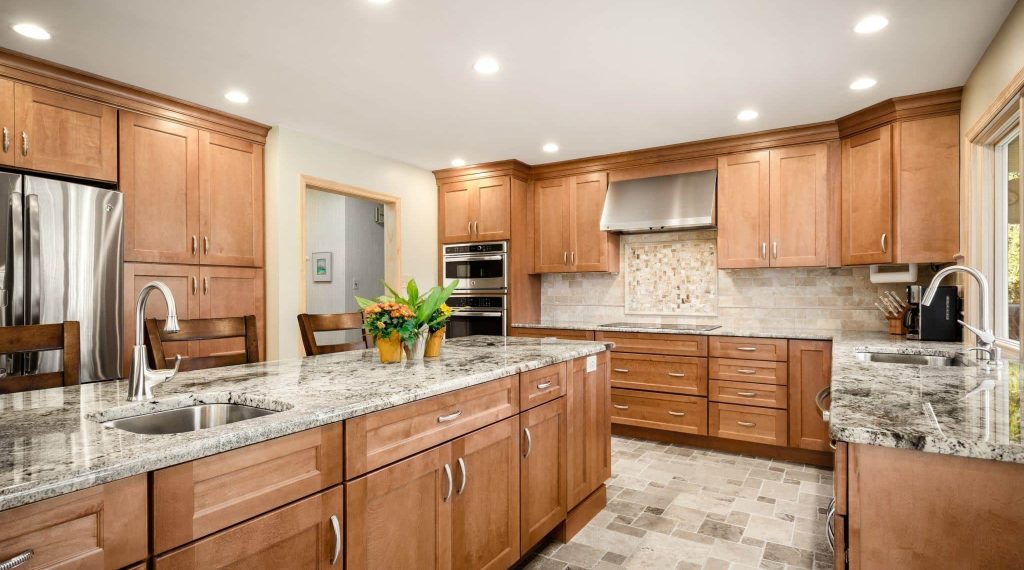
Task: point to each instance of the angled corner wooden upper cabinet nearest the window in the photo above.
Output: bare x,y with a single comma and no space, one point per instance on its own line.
902,193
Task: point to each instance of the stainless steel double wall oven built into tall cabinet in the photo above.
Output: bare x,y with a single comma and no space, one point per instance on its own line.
481,301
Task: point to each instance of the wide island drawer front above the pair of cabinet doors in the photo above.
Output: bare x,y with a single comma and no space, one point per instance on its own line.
383,437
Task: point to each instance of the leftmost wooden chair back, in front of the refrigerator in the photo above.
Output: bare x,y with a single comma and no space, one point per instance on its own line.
30,338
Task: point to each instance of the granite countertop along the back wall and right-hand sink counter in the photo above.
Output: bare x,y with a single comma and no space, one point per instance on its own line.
955,411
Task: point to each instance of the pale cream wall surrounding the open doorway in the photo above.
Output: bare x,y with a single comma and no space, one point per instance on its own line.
291,154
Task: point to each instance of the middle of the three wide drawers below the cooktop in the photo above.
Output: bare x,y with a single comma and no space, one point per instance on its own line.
678,375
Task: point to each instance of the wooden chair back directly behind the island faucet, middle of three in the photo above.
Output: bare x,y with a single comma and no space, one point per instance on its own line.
203,330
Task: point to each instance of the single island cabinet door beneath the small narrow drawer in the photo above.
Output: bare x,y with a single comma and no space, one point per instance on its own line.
542,471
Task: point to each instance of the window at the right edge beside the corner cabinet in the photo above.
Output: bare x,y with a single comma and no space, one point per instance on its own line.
1008,237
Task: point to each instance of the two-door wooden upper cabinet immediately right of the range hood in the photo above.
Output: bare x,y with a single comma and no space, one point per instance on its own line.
774,208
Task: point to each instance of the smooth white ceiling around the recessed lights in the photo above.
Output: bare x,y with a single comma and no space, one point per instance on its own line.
595,76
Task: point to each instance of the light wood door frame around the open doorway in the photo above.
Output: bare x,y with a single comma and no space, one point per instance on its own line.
393,228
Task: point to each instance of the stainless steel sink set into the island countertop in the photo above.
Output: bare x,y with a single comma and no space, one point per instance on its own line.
189,419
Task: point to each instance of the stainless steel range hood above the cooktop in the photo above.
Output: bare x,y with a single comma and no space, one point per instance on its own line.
661,203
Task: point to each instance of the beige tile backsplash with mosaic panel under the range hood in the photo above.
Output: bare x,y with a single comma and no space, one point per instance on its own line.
673,278
